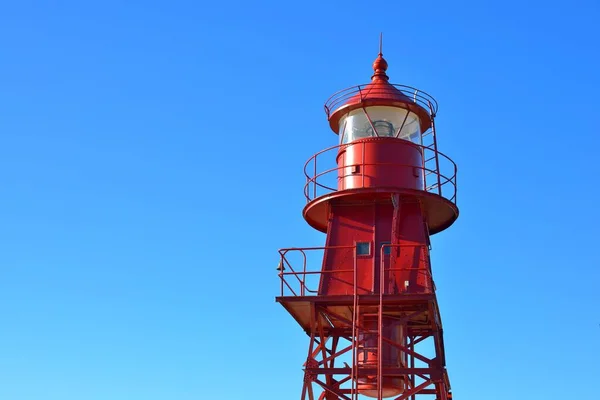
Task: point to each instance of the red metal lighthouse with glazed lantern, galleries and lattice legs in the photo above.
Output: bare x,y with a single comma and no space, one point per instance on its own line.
369,304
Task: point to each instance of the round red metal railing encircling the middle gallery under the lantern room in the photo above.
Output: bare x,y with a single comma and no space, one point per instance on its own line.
320,182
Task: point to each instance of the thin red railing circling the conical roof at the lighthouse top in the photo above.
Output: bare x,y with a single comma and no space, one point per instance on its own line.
419,97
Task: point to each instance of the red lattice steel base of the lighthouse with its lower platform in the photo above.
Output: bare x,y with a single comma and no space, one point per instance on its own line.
352,352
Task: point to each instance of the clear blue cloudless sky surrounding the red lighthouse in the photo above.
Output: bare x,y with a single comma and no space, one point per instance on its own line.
151,162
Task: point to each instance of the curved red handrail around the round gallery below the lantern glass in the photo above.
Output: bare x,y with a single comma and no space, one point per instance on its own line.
430,155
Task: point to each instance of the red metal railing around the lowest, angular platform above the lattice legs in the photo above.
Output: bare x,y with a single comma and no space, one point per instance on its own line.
304,279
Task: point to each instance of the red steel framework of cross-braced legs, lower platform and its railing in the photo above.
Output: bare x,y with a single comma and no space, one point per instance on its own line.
328,328
